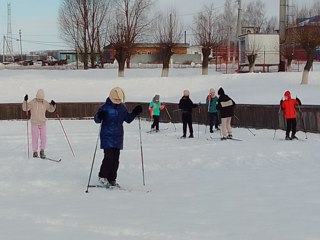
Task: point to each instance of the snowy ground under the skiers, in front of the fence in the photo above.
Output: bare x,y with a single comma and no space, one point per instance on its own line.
258,188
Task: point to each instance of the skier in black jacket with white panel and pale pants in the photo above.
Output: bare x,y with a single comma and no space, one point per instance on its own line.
226,107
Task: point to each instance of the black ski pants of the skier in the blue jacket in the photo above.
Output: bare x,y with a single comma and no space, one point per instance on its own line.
110,164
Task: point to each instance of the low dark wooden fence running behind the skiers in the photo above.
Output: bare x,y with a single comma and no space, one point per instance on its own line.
247,115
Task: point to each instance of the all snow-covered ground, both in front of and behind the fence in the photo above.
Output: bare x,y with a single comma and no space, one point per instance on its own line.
259,188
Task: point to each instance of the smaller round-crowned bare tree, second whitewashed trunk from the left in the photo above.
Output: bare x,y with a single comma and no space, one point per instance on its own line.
167,33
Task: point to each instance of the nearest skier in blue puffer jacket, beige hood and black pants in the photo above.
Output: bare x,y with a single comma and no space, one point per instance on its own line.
111,115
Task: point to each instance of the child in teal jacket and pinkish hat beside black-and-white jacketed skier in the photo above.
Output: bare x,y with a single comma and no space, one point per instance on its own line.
211,102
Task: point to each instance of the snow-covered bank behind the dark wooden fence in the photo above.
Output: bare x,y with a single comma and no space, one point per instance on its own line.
142,84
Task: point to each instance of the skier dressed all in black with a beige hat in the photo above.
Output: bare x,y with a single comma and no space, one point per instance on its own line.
186,106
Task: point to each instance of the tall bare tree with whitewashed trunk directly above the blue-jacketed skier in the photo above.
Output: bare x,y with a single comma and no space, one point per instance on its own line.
128,26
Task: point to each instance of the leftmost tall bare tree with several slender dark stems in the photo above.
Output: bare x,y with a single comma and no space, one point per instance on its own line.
79,22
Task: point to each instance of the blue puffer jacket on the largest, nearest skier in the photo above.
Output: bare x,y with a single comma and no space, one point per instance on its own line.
112,117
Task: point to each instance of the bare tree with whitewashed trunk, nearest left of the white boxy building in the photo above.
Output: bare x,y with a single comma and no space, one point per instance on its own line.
207,34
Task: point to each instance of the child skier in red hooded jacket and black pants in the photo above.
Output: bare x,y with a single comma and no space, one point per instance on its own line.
288,105
